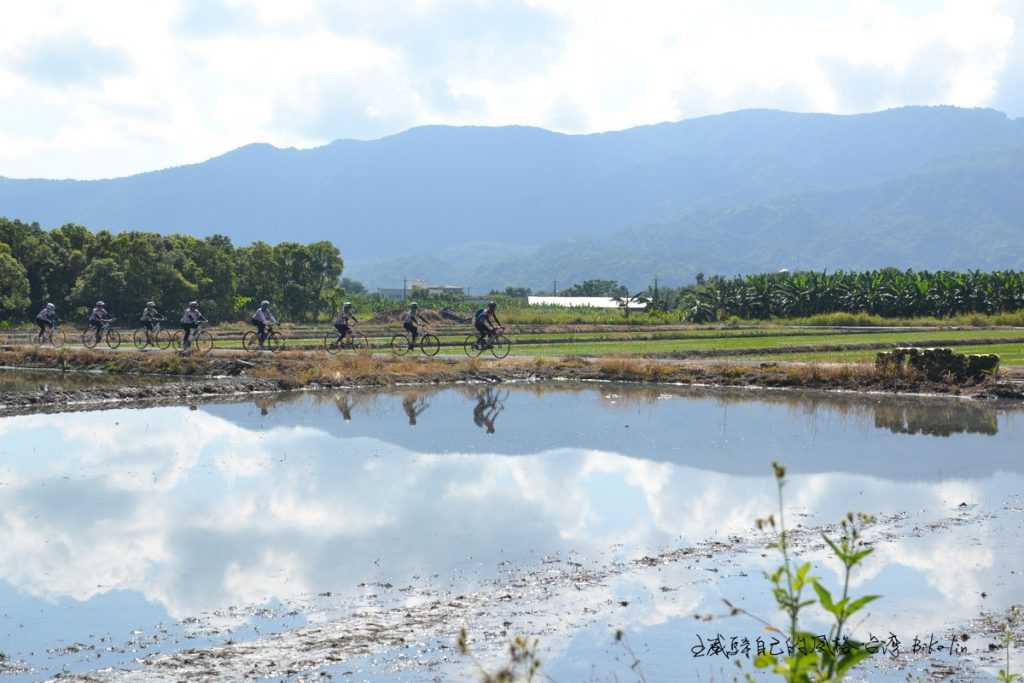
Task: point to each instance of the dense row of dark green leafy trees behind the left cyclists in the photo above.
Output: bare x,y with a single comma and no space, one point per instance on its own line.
74,268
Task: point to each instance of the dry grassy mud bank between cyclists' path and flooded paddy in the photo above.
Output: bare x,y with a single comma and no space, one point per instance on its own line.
227,375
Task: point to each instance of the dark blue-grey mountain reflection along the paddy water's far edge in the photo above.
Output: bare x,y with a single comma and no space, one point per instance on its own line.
717,431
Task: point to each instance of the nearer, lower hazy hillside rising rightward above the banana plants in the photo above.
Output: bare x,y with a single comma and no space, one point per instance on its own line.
960,216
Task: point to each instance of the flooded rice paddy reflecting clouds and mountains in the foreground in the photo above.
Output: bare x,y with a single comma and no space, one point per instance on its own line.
350,536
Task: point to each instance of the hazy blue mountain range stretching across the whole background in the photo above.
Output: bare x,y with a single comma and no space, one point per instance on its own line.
751,191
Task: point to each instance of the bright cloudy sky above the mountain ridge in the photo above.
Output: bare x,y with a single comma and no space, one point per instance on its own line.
108,88
